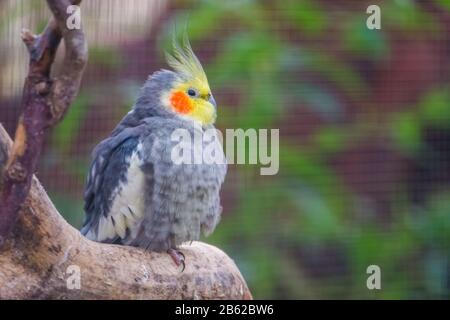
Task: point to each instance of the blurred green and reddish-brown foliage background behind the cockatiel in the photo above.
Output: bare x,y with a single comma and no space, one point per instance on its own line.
364,149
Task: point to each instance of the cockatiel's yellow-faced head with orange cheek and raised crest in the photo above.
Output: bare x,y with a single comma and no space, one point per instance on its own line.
183,92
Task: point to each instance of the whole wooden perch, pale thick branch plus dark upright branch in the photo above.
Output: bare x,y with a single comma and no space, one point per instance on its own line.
39,250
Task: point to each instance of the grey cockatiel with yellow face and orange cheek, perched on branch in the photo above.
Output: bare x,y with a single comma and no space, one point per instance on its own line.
135,193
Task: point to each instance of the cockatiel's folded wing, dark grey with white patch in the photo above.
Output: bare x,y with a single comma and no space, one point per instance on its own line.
105,186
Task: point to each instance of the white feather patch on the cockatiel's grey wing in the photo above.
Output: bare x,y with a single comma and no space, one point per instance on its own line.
127,209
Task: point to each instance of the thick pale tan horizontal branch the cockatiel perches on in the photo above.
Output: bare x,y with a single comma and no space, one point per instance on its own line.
35,261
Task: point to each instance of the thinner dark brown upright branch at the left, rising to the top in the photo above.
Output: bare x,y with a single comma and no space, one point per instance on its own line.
44,103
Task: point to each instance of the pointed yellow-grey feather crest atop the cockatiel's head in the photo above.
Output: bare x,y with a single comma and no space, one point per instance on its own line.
184,61
